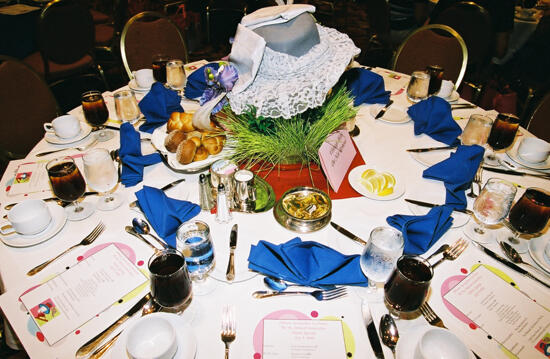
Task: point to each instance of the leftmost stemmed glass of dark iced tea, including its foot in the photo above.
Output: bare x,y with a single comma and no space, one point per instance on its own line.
68,185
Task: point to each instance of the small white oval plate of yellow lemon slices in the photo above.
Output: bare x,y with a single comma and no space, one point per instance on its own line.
376,184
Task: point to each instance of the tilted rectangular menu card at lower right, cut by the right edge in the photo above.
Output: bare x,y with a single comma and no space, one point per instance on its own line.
514,320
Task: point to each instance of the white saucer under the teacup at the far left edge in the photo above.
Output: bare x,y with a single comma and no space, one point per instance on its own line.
59,218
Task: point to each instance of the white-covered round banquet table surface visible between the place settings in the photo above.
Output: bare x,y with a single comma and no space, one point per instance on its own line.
382,145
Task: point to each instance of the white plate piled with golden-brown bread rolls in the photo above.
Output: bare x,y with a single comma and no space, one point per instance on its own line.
185,148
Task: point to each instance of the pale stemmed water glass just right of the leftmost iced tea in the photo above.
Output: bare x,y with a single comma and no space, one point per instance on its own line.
102,176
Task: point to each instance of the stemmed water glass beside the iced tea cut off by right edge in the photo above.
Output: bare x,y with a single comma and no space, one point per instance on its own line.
490,208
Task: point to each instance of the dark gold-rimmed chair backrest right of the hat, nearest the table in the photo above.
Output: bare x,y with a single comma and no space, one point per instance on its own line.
433,45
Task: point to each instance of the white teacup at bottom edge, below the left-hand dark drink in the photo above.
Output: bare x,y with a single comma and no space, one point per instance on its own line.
151,337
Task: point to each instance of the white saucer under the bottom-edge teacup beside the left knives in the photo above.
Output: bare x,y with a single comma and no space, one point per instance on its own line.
187,342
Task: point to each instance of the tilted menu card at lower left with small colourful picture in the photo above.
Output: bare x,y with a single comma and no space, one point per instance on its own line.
67,301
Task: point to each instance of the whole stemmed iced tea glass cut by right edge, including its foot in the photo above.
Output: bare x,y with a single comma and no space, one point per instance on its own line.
529,217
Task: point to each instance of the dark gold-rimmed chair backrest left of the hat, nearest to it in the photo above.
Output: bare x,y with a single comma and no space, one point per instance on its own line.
146,34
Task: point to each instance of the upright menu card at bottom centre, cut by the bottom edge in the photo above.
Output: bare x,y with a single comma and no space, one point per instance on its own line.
298,339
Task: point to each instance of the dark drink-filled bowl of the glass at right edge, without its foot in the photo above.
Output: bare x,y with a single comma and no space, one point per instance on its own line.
531,213
